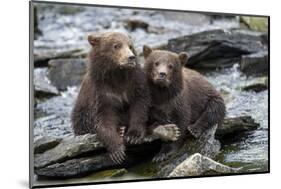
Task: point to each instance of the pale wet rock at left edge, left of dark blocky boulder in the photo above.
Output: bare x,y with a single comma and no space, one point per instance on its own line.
42,84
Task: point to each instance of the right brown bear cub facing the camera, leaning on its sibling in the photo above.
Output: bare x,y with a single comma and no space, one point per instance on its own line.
180,96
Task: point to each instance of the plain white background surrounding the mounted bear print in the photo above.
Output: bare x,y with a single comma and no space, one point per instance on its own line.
14,105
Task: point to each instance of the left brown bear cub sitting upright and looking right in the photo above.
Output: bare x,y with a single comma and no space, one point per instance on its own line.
113,93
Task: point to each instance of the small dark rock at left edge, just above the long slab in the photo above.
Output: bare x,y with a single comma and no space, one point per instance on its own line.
45,143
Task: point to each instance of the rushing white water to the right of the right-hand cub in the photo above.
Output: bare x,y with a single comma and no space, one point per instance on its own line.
252,151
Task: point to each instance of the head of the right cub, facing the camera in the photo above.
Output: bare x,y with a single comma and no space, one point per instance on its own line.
164,68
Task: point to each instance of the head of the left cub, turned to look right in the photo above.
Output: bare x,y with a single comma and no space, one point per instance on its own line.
113,49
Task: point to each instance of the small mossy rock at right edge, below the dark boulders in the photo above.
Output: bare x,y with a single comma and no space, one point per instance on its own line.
258,85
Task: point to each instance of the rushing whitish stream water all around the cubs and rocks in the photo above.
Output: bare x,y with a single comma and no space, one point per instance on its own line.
65,28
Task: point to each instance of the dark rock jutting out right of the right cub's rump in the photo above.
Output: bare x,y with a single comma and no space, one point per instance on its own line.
233,126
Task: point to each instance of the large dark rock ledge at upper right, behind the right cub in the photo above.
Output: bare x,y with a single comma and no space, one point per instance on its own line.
222,48
